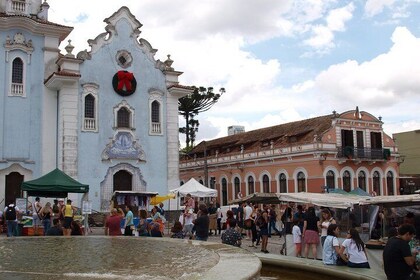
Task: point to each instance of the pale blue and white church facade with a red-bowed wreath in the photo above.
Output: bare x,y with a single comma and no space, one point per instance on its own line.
108,117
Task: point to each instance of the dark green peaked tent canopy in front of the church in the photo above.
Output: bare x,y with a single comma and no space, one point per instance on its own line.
54,184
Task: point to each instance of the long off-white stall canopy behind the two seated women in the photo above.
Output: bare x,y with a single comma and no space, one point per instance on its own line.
333,200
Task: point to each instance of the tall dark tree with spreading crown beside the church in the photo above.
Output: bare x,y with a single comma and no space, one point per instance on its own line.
200,100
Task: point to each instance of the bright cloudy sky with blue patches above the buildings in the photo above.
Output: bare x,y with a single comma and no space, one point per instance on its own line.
279,61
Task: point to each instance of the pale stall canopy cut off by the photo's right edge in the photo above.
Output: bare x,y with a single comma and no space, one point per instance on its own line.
392,201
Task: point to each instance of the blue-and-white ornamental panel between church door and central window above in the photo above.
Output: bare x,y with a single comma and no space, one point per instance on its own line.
123,146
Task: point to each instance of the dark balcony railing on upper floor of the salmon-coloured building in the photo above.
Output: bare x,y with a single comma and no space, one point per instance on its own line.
363,153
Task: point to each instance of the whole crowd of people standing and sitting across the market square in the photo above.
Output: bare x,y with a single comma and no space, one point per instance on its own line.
311,228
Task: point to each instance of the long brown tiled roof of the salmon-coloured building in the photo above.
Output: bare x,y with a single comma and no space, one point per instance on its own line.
293,133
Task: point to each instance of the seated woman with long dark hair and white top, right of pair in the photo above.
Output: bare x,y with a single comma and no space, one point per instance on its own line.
356,252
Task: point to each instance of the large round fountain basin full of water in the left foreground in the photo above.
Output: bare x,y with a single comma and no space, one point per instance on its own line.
103,257
